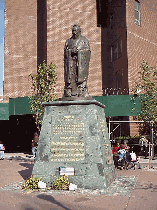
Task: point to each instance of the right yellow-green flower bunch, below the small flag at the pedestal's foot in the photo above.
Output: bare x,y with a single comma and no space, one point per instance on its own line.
61,183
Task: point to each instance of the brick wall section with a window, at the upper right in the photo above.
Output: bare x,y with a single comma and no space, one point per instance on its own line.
141,40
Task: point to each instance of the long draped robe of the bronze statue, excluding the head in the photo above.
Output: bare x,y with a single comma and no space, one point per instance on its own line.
76,66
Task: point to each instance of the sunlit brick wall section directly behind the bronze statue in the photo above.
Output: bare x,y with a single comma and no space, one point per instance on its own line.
61,16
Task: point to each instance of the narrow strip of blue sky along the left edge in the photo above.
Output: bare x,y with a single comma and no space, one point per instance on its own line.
1,45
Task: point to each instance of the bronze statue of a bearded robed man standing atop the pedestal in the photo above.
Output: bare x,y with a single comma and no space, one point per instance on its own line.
76,65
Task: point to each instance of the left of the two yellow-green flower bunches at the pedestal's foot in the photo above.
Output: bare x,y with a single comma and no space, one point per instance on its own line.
31,183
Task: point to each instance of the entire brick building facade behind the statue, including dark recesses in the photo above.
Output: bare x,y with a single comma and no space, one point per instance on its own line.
121,34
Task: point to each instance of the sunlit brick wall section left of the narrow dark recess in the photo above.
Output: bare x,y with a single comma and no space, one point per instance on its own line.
20,46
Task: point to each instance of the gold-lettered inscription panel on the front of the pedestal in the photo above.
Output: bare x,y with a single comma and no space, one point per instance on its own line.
67,140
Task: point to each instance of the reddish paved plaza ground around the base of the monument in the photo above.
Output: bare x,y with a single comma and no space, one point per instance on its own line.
132,189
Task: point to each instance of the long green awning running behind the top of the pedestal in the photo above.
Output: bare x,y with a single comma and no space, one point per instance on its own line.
116,105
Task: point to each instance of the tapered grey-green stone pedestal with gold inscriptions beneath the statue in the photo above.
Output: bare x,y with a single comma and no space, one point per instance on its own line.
74,134
